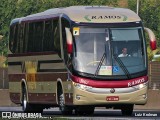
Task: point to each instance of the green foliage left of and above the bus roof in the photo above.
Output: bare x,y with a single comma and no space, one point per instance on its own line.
10,9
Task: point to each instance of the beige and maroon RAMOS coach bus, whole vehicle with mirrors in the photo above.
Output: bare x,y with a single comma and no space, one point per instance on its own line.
70,58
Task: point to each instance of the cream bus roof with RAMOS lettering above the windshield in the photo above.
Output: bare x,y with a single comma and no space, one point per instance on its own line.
91,14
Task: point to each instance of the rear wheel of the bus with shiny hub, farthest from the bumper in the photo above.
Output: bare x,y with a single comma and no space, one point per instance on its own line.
28,108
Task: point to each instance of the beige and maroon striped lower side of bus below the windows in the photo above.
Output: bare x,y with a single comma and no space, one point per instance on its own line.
40,73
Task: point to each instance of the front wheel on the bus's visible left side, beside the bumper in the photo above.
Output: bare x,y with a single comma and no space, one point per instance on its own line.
65,110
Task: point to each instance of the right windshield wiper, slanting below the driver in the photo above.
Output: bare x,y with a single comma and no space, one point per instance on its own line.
125,70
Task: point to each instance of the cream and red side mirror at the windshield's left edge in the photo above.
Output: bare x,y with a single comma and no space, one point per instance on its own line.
69,41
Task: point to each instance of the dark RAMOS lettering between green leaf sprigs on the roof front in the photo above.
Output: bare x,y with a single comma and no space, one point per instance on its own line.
107,17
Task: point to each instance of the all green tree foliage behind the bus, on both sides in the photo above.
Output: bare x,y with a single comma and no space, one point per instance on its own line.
9,9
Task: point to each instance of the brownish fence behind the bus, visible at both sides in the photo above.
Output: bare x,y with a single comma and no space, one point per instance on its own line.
153,73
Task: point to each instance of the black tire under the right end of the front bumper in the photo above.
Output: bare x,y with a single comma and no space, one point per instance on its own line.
127,110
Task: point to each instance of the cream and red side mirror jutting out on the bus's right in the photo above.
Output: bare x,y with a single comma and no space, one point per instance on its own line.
152,38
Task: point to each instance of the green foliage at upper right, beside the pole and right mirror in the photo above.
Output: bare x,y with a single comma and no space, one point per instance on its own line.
149,12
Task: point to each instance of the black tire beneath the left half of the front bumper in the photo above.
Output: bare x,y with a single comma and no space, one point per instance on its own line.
84,110
